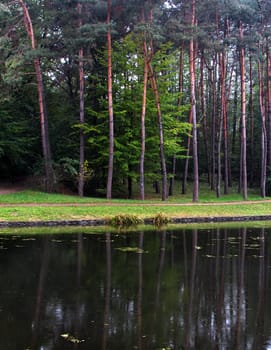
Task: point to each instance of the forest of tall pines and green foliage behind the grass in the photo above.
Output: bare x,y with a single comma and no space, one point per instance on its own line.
113,97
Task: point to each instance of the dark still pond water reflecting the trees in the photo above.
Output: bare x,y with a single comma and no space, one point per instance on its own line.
182,289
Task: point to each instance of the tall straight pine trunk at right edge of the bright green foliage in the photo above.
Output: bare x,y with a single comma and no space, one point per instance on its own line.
192,56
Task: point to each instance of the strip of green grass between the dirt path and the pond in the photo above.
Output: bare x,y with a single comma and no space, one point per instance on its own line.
32,213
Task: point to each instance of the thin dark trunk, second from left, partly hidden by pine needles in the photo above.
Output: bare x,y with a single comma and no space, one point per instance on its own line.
82,112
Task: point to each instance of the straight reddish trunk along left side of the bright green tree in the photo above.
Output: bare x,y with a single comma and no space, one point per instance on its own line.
110,104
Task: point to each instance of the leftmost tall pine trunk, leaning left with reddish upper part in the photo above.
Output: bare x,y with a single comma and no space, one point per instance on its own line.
46,149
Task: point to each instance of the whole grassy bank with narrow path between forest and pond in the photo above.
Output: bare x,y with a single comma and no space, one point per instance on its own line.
36,206
